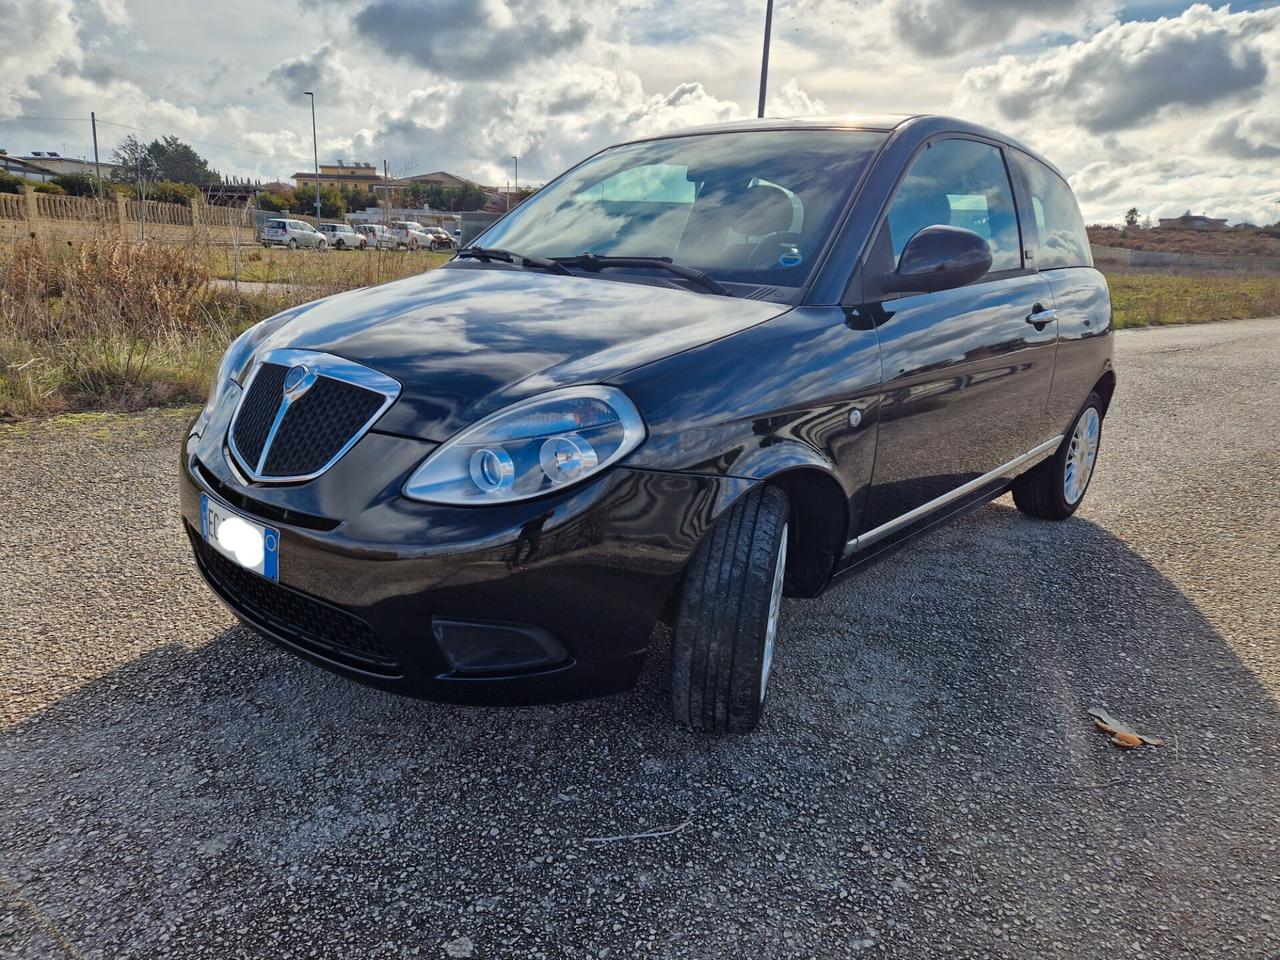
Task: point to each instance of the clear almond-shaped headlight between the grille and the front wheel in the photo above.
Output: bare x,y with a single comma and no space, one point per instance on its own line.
531,449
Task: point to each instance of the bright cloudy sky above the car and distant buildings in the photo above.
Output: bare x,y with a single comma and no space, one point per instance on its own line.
1160,106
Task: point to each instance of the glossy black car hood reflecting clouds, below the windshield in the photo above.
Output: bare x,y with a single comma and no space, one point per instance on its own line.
468,341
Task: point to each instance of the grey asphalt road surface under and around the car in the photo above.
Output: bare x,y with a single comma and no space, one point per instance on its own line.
926,784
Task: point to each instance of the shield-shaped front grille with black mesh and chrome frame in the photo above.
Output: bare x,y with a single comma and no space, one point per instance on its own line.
301,412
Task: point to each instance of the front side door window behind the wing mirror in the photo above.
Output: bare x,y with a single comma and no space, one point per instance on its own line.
962,184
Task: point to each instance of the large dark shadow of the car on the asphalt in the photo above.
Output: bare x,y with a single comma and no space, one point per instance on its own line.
927,779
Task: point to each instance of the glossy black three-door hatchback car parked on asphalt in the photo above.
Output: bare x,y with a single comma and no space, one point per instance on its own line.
692,376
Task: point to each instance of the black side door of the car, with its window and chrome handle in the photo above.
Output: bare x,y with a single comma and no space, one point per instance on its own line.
966,373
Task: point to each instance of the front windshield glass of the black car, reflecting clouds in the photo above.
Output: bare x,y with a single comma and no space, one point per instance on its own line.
746,208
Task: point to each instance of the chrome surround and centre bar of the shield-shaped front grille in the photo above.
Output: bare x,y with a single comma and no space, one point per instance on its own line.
318,365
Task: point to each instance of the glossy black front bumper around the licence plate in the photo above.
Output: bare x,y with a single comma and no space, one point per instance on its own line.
367,579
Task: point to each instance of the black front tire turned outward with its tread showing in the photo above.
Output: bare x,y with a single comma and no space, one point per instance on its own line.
719,682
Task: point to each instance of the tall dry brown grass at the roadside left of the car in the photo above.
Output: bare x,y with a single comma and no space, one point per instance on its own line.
108,324
